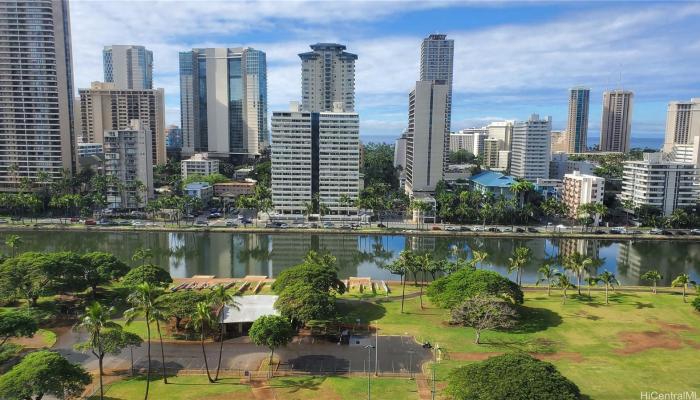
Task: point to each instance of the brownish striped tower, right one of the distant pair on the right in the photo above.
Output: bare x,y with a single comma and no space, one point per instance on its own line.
616,122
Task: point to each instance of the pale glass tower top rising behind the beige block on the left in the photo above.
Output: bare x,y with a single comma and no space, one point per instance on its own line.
128,66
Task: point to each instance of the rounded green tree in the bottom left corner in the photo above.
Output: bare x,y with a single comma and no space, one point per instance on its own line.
44,373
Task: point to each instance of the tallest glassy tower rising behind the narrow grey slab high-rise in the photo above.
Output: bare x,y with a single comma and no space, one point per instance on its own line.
436,60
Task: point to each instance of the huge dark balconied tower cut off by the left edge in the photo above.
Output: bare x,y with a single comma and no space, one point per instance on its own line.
36,91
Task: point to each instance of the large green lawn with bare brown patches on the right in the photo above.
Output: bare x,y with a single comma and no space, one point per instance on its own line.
639,342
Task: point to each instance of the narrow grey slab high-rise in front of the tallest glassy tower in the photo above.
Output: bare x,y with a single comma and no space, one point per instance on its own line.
428,136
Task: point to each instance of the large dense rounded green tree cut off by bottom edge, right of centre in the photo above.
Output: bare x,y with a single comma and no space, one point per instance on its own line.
511,376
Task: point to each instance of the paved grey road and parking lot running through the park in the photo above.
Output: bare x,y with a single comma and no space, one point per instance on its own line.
394,355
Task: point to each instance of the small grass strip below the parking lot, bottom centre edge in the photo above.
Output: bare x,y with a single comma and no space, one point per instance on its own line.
344,388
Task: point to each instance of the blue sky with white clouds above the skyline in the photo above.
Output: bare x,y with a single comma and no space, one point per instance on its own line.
511,58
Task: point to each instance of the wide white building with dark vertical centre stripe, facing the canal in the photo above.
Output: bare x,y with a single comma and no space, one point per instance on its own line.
315,159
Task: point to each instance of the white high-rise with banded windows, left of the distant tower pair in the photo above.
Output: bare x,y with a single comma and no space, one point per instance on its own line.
530,151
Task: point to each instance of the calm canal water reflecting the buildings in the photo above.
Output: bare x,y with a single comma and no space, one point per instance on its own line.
239,254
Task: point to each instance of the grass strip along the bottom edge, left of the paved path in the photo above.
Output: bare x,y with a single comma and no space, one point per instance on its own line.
178,388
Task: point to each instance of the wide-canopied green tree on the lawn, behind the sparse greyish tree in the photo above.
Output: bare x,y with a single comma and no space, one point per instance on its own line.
452,290
